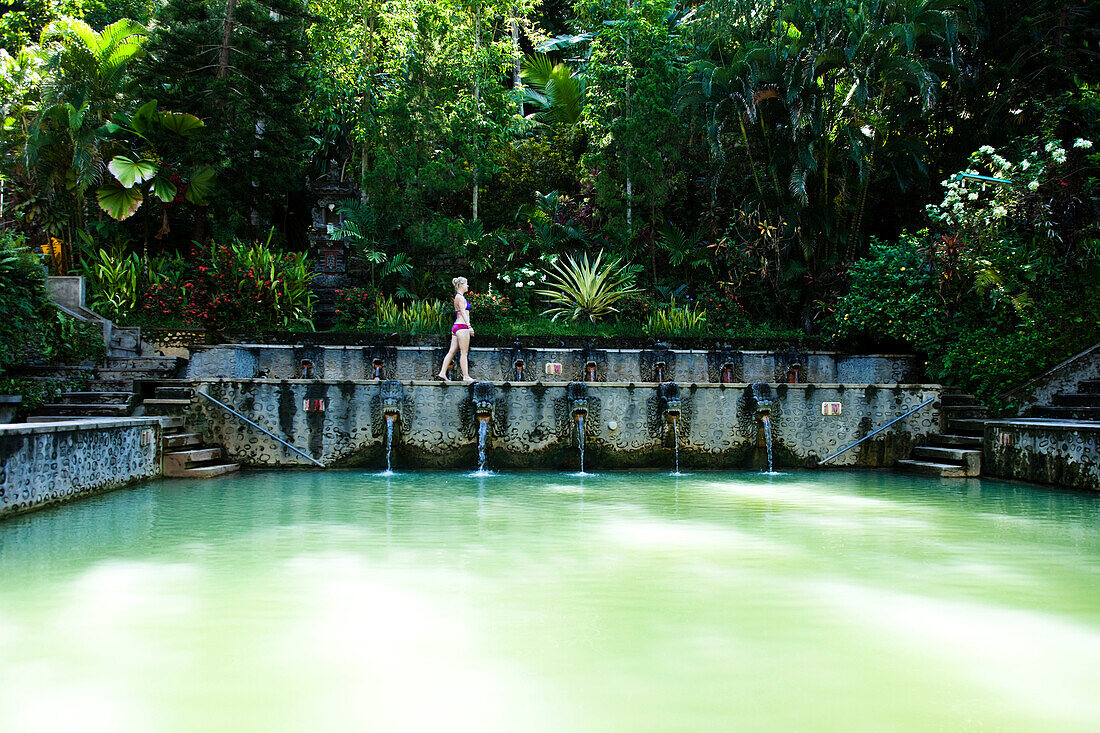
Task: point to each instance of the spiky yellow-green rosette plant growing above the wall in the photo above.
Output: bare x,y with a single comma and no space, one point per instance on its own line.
584,289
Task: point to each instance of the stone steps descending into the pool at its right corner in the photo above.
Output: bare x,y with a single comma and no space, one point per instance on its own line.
958,453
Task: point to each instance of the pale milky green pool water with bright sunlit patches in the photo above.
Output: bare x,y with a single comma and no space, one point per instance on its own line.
345,601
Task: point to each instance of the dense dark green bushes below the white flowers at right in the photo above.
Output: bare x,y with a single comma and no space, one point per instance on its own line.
973,337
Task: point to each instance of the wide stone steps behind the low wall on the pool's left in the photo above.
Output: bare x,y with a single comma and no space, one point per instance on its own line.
114,391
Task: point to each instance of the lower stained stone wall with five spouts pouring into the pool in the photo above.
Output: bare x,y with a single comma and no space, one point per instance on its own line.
536,426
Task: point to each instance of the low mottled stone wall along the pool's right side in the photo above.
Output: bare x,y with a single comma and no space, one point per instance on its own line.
1062,454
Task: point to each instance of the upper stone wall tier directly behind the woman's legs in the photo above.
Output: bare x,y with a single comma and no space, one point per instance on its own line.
251,362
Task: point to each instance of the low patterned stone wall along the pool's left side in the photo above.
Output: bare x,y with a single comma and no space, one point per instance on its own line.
45,464
